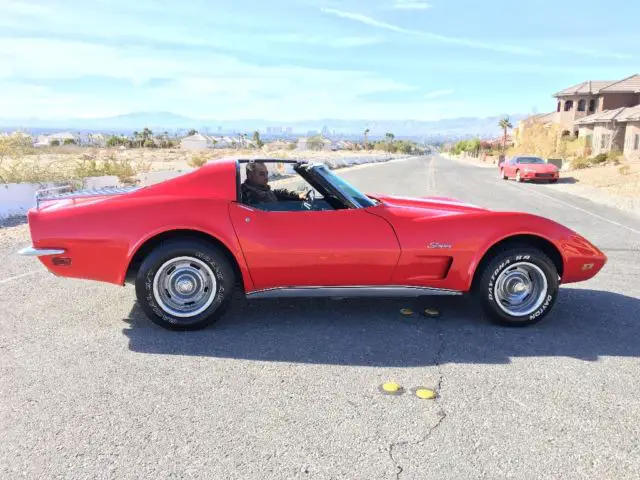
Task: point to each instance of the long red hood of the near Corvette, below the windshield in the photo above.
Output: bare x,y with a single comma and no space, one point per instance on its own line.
428,206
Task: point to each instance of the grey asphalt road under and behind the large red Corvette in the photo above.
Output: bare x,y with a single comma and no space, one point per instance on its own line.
289,389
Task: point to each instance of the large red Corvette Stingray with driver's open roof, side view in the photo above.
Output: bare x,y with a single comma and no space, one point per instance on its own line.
189,242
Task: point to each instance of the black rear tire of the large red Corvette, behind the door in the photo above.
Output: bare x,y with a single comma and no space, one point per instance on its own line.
200,258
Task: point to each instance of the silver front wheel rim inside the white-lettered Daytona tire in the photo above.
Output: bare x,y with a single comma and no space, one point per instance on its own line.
520,289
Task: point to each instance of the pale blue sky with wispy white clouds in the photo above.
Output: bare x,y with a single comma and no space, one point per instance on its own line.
307,59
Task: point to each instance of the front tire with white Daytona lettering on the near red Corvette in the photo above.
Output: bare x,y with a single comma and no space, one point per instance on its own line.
509,262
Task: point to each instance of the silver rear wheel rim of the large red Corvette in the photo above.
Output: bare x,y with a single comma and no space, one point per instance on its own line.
184,286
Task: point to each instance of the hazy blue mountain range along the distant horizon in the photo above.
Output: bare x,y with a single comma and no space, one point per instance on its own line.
171,122
